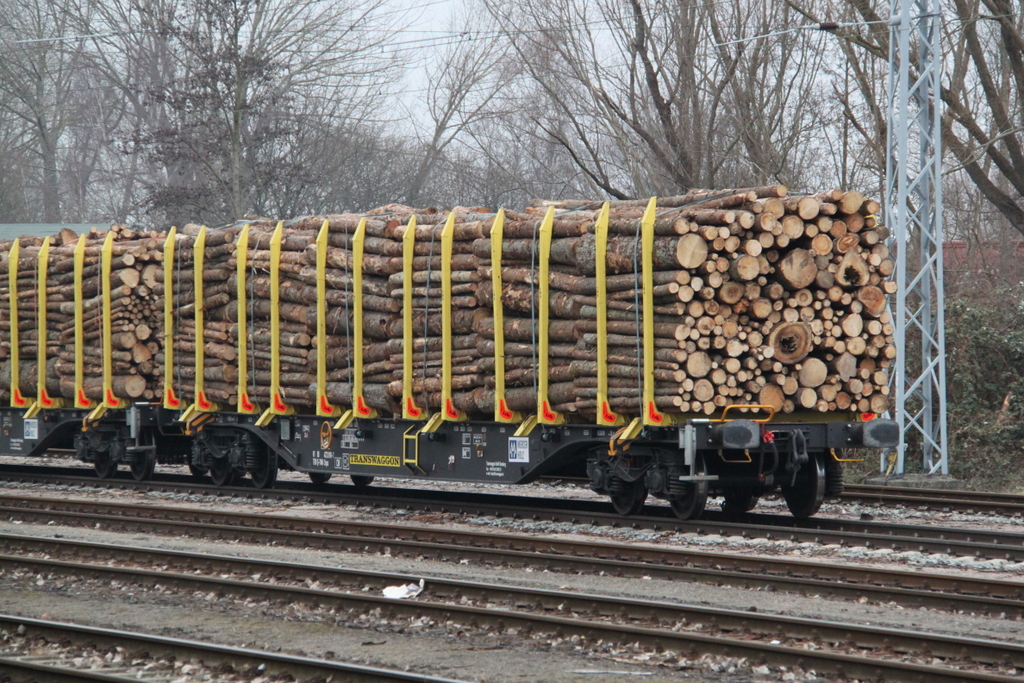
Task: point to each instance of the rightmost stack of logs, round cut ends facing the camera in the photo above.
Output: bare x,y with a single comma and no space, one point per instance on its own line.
759,298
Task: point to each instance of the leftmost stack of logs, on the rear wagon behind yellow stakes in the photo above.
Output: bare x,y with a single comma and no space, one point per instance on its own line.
137,316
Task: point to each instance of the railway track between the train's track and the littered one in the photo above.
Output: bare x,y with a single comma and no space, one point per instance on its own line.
912,589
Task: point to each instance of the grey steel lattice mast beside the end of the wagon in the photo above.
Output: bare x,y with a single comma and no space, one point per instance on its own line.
914,195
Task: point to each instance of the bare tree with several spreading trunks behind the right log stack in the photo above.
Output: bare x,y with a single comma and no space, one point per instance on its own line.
653,98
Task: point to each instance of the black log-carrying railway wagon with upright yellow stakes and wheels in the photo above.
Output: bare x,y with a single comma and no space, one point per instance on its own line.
740,450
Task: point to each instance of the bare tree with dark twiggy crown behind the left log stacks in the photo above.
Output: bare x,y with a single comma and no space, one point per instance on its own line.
215,86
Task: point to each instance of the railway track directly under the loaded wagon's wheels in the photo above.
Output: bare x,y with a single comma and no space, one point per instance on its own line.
918,538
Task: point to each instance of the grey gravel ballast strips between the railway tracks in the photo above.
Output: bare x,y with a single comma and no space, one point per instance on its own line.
472,657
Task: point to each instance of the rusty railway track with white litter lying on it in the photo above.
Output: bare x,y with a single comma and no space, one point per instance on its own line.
862,652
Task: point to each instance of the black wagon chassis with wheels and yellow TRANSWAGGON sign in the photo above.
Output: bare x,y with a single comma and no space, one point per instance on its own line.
740,459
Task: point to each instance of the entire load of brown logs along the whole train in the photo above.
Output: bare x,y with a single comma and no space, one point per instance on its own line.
760,298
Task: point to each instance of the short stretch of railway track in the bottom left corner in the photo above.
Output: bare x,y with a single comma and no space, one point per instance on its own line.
48,651
